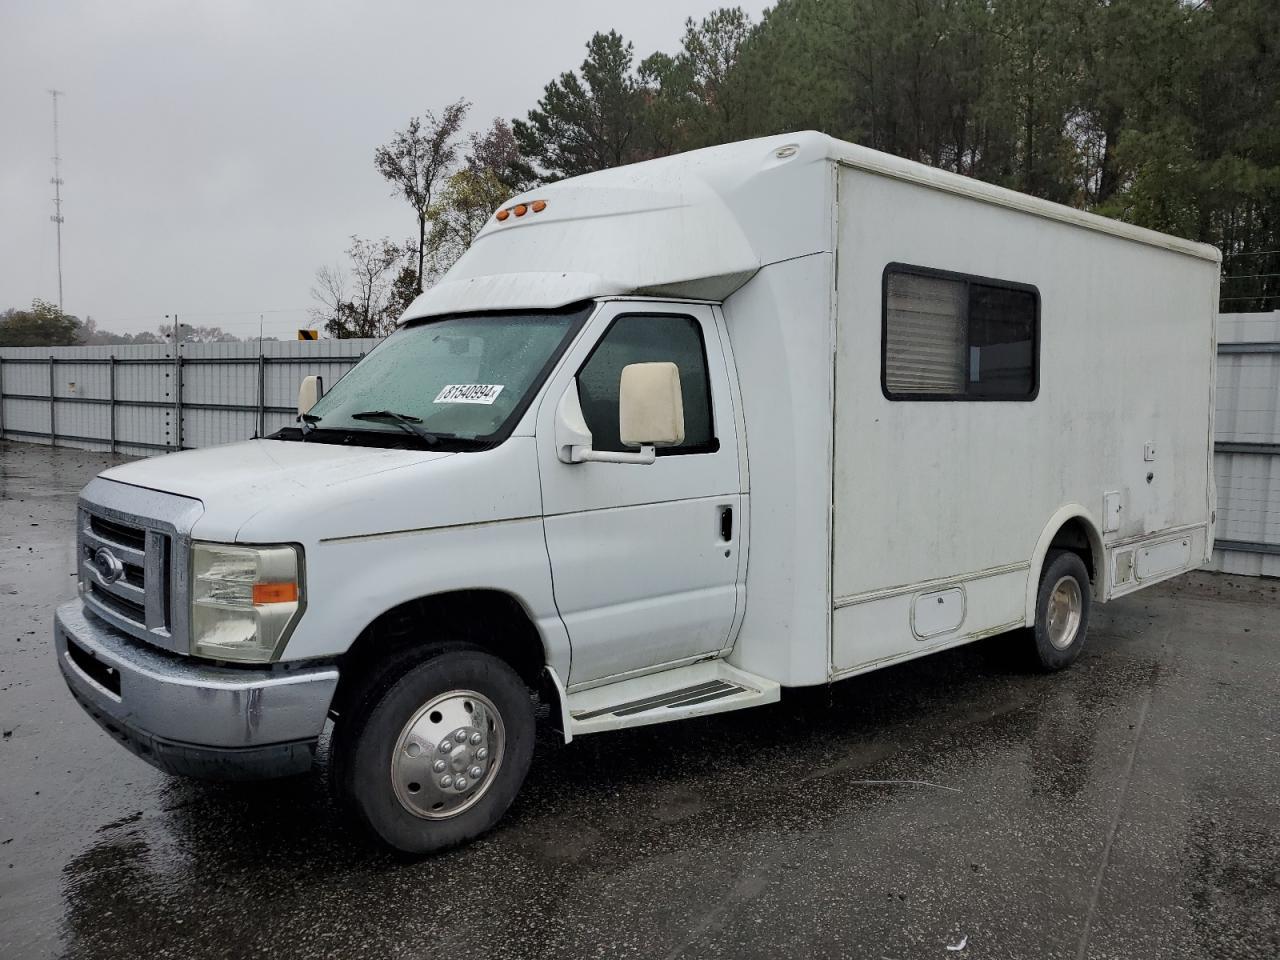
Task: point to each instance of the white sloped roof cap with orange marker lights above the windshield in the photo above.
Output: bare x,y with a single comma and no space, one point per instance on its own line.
696,225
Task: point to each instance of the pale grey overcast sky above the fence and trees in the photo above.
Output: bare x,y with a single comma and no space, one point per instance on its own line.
216,154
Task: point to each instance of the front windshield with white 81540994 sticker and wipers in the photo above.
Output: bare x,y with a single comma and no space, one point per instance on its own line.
455,381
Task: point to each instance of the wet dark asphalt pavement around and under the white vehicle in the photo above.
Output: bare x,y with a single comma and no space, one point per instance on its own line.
1128,808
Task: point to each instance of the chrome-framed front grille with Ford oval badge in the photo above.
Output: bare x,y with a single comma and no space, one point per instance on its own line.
132,547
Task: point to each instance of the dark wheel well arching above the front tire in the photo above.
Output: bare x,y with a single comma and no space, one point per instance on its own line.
491,620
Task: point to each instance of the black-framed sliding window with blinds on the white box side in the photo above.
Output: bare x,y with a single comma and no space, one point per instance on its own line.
954,337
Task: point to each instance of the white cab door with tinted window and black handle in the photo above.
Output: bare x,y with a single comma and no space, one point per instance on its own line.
644,557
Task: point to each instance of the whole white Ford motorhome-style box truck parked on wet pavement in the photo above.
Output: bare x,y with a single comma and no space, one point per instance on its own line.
668,440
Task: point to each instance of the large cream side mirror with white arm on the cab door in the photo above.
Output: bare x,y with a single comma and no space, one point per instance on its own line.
651,414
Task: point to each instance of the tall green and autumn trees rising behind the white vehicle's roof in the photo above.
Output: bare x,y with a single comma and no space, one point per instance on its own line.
1162,113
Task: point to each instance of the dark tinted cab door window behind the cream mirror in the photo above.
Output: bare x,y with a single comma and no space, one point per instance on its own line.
644,339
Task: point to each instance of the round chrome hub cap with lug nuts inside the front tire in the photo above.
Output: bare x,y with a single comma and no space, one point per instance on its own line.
447,755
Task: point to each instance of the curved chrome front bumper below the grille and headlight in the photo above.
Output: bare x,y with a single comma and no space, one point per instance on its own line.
189,717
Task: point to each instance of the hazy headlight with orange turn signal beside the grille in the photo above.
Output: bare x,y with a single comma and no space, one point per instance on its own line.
244,601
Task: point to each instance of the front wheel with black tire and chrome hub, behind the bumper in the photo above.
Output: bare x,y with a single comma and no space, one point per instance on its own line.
440,758
